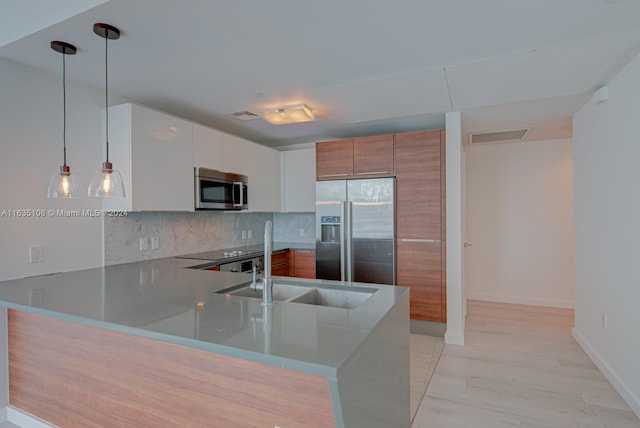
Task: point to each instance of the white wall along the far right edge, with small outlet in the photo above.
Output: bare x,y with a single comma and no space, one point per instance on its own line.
607,232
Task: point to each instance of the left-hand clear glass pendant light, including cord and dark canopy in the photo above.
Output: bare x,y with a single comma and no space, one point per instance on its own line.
63,183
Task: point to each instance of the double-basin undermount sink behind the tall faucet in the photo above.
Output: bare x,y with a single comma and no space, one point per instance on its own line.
320,296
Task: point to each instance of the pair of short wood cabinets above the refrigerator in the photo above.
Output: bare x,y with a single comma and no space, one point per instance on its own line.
355,158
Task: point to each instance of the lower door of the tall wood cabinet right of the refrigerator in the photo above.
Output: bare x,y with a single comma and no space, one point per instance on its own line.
419,267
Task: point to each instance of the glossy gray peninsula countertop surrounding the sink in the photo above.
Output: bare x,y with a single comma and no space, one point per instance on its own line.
163,300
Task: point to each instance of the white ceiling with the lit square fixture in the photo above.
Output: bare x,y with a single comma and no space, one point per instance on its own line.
364,67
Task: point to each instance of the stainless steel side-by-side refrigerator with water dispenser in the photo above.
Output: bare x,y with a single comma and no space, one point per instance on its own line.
355,230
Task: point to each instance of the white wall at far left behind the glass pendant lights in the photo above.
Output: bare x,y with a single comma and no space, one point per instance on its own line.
31,144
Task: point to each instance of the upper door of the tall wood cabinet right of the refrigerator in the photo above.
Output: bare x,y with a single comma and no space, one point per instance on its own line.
418,185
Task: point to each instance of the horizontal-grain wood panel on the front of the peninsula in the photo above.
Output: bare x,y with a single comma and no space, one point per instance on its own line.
75,375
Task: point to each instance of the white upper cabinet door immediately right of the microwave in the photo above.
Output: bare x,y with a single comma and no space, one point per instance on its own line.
264,179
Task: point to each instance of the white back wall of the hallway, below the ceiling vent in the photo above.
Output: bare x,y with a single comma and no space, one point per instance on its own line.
520,223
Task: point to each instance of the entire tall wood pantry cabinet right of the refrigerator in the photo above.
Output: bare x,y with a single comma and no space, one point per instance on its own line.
420,211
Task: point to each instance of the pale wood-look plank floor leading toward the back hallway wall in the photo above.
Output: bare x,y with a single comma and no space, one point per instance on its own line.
520,368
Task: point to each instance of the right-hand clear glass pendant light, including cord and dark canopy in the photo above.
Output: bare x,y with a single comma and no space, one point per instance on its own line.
106,182
